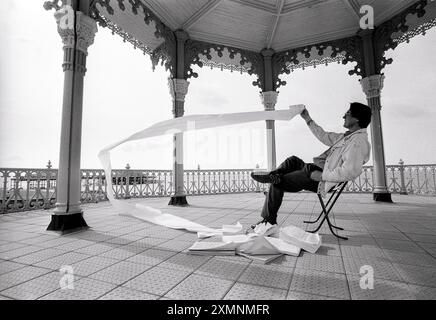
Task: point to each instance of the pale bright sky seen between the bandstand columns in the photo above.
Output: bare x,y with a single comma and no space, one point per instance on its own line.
123,95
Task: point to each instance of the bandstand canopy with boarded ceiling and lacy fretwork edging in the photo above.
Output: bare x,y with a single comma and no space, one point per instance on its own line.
232,34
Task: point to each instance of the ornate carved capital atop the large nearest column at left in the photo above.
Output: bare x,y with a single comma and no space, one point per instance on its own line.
86,28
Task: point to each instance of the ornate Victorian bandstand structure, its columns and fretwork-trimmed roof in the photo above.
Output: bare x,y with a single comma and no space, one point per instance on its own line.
267,38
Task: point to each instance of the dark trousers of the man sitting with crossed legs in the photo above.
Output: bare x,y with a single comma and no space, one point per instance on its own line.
294,177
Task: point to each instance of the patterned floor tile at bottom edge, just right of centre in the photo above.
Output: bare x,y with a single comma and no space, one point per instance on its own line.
243,291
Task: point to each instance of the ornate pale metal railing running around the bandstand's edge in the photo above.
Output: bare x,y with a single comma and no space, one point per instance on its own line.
29,189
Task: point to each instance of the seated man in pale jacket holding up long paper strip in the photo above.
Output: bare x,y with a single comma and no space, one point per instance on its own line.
343,161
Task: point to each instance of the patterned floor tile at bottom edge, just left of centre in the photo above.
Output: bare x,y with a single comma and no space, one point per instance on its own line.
197,287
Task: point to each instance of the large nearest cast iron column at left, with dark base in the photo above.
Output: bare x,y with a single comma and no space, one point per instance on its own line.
77,31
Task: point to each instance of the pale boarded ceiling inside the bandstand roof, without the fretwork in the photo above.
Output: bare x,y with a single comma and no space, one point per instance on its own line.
254,25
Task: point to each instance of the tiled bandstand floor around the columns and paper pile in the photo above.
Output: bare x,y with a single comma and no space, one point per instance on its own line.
123,258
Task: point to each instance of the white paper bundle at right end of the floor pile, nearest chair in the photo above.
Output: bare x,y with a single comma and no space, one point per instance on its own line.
300,238
